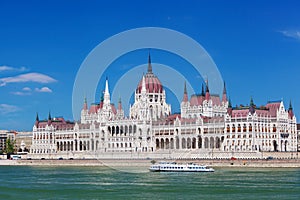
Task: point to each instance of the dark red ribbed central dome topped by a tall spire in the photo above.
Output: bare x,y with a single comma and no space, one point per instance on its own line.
153,84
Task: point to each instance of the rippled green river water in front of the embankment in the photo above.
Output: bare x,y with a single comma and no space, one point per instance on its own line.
27,182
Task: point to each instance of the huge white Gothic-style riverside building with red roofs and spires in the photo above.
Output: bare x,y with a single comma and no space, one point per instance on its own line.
207,127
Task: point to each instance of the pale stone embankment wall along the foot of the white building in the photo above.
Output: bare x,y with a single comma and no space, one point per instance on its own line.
163,154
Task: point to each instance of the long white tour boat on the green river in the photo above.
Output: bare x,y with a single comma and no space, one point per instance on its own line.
177,167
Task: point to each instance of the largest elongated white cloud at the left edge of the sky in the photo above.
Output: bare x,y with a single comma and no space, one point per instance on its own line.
29,77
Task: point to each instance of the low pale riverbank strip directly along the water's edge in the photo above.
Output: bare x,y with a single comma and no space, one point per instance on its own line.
292,163
